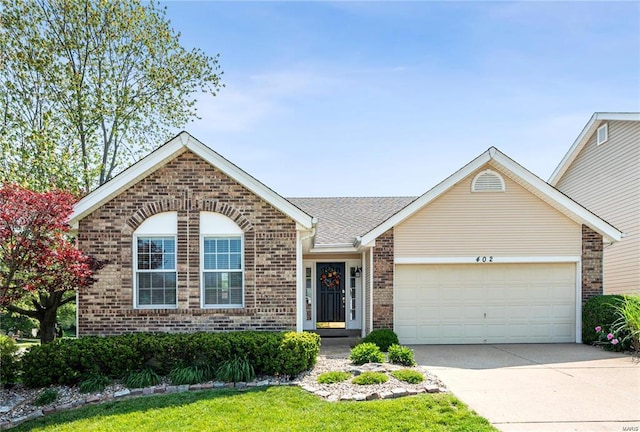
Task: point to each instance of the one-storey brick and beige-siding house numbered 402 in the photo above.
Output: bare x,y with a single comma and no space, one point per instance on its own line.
491,254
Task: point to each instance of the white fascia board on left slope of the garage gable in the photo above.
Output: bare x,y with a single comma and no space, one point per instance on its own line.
428,197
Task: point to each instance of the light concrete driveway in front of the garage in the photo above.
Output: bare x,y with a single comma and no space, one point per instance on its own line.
541,387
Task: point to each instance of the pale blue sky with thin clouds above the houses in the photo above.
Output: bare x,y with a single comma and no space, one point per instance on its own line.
390,98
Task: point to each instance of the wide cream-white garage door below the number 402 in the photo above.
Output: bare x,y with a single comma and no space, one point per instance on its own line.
485,303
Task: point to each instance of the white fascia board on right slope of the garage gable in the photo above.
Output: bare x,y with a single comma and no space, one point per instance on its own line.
575,210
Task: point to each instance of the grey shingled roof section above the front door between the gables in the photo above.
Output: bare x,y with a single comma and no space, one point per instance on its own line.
342,219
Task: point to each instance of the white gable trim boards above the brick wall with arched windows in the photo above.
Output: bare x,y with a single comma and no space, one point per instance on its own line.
181,142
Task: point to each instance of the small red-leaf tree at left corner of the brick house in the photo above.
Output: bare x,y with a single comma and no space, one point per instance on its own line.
40,266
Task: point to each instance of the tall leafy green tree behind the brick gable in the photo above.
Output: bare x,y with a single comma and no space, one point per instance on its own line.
86,85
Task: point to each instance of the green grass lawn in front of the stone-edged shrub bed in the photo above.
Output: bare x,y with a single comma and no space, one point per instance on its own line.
265,409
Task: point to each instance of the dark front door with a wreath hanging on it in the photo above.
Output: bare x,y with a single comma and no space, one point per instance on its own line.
331,292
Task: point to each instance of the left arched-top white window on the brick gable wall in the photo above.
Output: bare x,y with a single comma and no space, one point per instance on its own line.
154,262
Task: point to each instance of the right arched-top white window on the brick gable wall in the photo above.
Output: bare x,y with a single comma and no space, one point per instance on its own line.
222,257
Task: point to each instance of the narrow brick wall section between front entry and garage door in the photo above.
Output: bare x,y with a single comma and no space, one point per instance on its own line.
383,281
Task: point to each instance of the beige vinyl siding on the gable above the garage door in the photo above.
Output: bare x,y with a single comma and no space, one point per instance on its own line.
510,223
